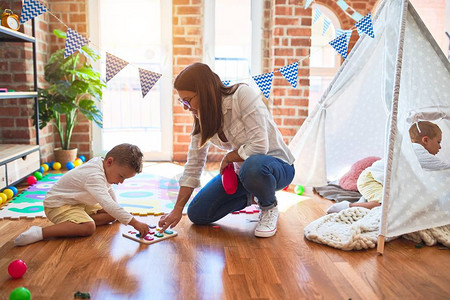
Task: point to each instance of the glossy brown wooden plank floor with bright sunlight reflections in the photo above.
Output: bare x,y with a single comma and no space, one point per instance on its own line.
226,263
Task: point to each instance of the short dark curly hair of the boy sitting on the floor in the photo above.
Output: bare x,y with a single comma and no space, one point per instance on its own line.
127,154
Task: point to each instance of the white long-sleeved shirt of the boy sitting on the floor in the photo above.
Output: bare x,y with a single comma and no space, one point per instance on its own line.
87,184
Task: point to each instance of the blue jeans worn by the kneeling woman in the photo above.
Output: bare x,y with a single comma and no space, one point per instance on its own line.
260,175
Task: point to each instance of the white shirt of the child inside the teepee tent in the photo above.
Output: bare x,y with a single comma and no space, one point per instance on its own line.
427,161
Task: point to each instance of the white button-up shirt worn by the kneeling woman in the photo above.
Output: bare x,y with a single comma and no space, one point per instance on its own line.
248,128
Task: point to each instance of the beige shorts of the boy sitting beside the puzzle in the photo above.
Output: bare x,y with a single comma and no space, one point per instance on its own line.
79,213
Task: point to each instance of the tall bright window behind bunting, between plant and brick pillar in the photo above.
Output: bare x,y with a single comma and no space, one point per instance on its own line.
141,41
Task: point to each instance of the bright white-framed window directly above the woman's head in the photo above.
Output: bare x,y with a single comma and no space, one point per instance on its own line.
233,44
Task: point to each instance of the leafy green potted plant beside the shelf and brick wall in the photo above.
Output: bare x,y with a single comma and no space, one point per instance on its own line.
73,87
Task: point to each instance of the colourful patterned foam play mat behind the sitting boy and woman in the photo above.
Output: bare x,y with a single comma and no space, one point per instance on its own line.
153,192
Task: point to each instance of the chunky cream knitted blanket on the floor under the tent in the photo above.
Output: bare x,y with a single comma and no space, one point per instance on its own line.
357,228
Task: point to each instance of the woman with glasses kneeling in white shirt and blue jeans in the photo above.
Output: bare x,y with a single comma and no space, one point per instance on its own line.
234,119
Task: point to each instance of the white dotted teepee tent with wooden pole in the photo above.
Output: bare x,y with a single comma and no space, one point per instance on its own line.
386,83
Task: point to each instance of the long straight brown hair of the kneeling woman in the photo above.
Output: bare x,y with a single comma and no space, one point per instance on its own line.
199,78
